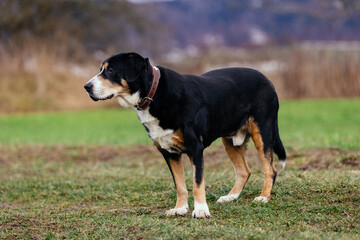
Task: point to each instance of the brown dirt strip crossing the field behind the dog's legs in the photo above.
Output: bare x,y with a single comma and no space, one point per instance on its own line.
328,158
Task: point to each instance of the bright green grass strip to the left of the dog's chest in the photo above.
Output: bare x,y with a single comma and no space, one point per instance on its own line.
110,126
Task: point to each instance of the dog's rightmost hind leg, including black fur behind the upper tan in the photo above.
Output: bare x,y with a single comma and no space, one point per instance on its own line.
262,145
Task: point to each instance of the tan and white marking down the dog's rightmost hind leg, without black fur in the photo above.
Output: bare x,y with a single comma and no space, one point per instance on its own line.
266,160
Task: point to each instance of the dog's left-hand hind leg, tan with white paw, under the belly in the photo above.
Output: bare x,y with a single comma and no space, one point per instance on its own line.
242,171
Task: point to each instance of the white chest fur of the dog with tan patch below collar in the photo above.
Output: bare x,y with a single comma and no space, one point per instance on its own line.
165,138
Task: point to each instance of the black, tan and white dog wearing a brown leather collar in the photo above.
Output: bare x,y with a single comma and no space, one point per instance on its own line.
184,114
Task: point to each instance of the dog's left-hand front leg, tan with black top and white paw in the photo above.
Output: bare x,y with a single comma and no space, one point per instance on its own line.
175,165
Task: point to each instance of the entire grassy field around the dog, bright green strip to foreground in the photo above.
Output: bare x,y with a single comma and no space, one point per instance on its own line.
95,175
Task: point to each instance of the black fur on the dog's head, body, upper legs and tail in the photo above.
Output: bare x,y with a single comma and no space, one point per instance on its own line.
206,107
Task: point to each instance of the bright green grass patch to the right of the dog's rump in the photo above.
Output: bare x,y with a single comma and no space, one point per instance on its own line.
319,124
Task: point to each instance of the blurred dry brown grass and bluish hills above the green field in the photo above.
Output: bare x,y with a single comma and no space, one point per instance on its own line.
49,49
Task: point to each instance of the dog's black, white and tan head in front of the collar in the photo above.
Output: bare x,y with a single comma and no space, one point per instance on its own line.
123,76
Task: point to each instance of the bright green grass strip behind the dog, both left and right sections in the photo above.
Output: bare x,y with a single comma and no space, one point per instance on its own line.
303,124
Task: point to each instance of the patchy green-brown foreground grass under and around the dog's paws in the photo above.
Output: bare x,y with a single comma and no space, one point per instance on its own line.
127,198
